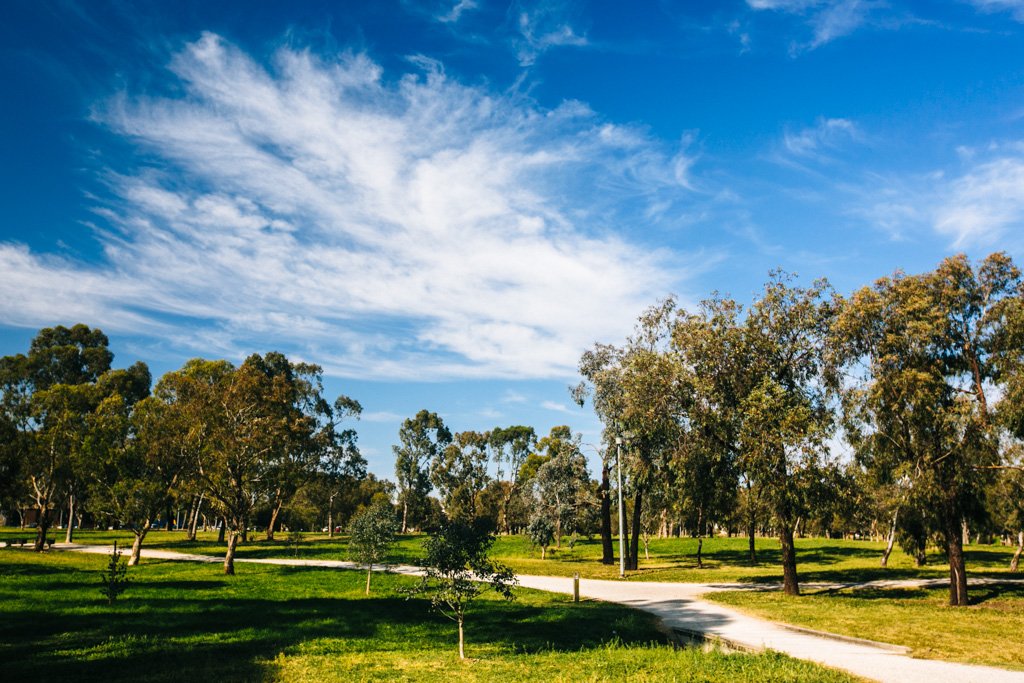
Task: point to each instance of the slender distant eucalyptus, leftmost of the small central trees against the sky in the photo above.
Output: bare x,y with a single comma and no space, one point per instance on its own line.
421,439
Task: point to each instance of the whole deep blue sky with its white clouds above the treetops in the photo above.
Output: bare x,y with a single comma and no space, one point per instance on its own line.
444,203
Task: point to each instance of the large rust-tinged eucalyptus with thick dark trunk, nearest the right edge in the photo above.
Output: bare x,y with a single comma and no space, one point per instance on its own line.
928,351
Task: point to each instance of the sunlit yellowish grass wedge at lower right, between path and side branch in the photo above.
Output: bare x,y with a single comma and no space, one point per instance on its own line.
990,631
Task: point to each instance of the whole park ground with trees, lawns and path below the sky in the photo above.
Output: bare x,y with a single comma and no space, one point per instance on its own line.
251,518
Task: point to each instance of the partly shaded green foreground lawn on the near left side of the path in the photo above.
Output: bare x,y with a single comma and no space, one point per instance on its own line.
189,622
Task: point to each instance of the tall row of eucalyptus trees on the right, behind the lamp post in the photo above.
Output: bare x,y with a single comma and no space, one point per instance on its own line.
733,415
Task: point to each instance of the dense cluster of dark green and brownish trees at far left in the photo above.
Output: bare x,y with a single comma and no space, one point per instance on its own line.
232,446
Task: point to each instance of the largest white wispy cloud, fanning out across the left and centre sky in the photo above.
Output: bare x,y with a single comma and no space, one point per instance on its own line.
410,228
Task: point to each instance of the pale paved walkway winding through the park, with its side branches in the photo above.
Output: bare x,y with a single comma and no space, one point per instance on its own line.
680,608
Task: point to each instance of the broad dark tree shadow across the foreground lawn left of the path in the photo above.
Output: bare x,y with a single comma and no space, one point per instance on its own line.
224,630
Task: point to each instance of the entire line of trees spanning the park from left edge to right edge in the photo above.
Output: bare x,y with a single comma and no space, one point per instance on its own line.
897,412
